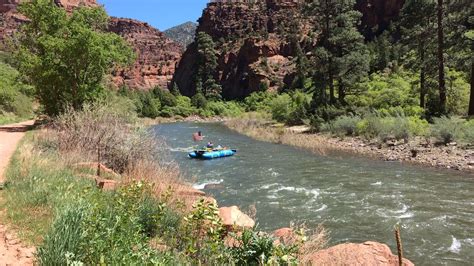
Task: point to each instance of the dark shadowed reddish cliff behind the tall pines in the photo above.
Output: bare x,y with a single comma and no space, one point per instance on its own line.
252,40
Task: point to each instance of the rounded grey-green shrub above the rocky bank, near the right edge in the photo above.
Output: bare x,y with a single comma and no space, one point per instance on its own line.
446,130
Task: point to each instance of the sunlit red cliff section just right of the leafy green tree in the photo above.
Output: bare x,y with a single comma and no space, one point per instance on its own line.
157,55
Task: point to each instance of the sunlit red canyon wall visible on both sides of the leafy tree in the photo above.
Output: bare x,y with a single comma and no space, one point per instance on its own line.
156,54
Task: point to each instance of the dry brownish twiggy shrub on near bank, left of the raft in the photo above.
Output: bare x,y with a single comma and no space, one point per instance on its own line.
97,127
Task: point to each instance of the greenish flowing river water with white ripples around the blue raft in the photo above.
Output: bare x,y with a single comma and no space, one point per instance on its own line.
356,199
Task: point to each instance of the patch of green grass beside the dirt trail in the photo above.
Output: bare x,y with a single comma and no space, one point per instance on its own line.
36,186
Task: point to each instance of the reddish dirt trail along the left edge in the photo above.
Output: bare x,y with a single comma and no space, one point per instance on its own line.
12,252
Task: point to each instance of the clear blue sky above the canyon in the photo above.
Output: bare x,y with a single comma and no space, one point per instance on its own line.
161,14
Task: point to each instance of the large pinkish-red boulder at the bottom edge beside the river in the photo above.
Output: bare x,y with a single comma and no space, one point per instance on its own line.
368,253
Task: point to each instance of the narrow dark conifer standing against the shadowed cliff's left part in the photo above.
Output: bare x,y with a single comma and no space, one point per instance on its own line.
205,79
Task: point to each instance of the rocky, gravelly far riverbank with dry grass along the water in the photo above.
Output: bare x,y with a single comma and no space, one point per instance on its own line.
417,151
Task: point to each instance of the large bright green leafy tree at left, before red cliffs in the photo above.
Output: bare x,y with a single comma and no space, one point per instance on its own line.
65,57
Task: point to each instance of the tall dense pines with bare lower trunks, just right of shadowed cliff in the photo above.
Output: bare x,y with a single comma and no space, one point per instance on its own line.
341,55
